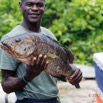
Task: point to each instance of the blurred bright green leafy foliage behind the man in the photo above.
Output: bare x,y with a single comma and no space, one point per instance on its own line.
77,24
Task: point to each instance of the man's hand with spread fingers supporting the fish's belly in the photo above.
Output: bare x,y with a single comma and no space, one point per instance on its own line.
38,64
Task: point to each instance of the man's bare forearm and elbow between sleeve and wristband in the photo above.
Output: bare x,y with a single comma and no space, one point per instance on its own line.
11,83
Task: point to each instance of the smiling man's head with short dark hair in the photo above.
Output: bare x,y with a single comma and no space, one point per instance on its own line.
32,10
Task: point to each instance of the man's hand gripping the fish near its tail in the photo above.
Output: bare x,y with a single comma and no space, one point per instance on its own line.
76,77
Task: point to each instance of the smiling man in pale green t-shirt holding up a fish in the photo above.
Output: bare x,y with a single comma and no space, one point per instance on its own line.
30,83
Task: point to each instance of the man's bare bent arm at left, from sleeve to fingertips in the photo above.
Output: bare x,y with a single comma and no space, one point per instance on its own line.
10,83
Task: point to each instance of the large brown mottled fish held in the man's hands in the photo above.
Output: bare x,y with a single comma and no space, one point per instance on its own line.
24,47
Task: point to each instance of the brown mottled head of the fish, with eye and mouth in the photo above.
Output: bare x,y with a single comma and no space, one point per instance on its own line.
20,46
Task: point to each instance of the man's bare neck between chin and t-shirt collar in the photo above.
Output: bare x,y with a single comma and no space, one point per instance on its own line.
32,27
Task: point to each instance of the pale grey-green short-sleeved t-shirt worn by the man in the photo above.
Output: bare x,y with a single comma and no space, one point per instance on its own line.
43,86
